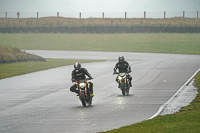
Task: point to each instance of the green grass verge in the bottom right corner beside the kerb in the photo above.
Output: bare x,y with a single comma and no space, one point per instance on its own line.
187,120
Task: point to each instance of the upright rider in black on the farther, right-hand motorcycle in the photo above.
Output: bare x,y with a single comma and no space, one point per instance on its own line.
123,67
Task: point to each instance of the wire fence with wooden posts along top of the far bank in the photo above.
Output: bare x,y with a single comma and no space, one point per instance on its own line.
144,14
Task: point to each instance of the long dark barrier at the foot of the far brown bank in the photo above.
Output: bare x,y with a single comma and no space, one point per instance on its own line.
100,29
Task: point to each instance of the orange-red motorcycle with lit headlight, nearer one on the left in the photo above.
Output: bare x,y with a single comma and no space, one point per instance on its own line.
84,95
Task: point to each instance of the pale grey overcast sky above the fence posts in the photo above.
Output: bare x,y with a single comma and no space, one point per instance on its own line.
93,6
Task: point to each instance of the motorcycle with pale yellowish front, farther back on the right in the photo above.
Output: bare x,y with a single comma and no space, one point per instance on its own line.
123,81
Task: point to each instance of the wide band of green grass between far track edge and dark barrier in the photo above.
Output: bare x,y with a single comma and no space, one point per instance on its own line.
187,43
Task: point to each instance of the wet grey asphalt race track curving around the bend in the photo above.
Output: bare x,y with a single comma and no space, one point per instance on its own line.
41,102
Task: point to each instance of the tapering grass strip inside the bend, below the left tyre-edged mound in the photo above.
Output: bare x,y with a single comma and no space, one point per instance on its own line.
14,69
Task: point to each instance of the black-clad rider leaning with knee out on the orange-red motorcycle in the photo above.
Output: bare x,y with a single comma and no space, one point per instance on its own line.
79,74
